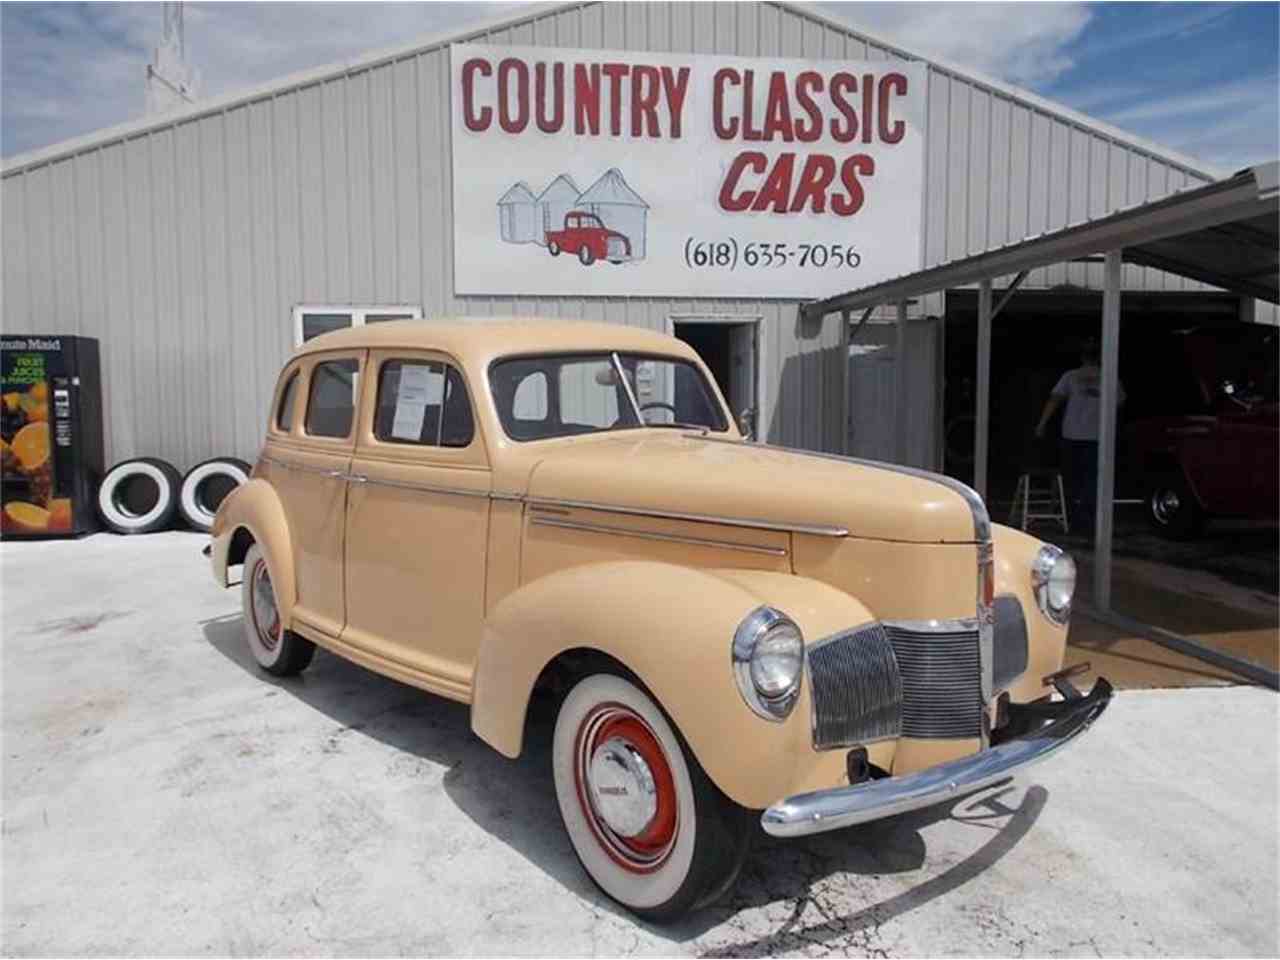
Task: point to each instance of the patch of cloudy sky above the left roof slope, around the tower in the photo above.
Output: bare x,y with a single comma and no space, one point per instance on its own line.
75,68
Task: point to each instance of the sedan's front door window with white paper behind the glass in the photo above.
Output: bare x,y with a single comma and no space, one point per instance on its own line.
423,403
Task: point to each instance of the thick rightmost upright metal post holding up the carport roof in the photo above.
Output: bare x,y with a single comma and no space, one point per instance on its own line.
1108,431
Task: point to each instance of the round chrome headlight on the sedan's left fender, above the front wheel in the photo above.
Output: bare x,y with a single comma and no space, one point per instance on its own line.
769,662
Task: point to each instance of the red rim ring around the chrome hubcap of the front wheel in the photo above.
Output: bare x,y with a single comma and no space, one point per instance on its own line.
646,851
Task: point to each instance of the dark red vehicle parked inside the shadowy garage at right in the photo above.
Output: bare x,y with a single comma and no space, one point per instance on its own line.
1217,451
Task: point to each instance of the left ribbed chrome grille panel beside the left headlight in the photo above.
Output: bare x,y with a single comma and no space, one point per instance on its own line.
857,689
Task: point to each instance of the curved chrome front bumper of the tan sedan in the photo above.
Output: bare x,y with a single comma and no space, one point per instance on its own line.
847,807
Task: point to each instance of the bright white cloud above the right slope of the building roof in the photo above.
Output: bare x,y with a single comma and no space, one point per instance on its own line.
1025,44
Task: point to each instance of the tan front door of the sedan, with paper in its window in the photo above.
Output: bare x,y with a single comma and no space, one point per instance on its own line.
418,520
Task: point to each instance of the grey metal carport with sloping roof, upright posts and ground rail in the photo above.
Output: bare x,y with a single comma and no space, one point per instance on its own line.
1224,234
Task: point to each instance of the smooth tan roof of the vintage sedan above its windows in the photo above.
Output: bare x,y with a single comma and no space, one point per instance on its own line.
481,340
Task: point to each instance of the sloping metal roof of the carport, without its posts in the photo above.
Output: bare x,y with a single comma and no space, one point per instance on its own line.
1223,234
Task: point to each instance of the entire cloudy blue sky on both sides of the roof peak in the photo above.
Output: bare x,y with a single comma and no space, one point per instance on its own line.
1201,79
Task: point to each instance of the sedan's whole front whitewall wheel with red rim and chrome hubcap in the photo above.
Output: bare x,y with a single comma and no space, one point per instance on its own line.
644,820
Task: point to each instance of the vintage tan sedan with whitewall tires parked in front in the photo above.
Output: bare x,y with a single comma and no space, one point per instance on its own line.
737,634
